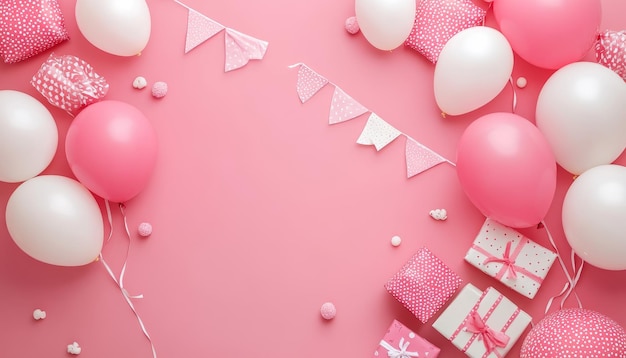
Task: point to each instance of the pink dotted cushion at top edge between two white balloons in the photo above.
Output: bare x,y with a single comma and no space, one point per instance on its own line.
436,21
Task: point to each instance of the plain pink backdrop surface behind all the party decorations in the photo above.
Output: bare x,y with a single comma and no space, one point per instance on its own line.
261,210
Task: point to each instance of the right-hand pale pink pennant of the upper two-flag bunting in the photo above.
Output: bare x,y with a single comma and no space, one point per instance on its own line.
240,48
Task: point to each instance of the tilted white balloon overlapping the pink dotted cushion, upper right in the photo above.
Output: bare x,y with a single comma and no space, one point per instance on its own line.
473,68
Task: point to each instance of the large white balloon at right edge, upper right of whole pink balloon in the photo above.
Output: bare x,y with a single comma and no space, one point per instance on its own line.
581,110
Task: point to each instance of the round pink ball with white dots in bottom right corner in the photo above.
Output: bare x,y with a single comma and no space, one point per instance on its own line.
575,332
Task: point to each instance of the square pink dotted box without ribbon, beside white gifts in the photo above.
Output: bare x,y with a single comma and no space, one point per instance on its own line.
424,284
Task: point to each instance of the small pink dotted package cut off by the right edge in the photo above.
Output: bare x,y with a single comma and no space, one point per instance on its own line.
610,50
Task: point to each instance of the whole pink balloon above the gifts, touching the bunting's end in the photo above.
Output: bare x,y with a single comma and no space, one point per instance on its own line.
507,169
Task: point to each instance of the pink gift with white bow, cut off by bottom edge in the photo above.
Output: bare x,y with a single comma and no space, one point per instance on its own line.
400,341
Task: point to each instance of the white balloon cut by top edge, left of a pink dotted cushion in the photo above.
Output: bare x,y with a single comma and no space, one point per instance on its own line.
386,24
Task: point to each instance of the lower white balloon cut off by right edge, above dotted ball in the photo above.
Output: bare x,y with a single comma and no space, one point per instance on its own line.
594,216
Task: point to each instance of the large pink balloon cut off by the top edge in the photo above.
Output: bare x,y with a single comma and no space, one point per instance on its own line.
549,34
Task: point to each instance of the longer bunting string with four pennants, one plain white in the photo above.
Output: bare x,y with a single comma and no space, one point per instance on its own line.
377,131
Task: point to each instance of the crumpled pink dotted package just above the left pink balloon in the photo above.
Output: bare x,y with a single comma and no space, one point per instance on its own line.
69,83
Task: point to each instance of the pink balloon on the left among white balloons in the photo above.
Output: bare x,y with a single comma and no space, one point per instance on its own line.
111,148
